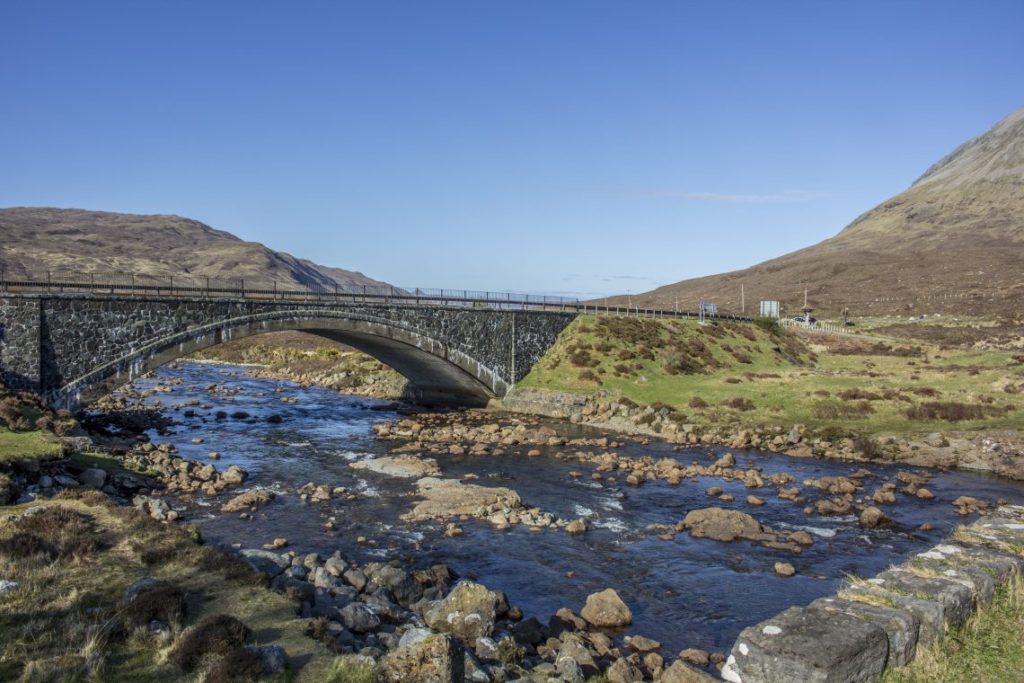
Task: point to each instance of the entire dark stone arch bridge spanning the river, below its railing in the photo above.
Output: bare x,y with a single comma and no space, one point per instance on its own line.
74,349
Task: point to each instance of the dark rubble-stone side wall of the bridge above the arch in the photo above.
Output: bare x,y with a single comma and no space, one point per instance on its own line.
74,336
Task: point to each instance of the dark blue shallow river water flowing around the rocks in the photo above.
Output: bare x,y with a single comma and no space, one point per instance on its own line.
686,592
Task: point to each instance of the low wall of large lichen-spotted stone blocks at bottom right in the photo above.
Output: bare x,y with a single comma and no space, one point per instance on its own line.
878,624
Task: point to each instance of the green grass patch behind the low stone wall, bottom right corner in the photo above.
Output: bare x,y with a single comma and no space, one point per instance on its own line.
990,648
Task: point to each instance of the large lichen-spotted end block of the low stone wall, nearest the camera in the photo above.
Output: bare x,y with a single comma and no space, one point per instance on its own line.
810,647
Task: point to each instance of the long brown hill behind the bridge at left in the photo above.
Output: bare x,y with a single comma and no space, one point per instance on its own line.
72,241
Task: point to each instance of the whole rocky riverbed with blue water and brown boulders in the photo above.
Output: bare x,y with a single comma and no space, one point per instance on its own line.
542,513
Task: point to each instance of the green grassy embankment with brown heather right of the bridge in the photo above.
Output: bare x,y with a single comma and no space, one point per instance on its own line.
745,376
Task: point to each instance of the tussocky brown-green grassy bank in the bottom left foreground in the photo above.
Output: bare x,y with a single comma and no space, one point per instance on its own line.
75,559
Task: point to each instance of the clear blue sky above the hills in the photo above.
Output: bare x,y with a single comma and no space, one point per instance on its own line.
587,148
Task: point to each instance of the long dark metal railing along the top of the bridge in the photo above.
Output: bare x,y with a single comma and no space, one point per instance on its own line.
56,283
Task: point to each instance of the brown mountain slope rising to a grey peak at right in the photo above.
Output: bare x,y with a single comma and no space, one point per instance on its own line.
953,243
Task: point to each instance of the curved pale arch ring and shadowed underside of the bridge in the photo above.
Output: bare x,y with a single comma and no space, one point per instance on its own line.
440,373
